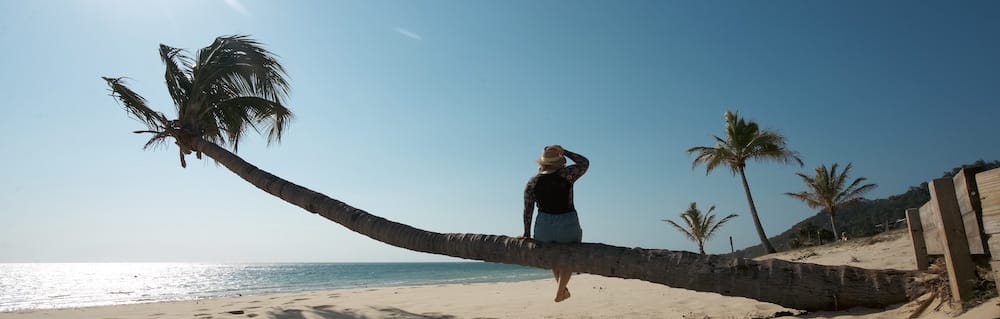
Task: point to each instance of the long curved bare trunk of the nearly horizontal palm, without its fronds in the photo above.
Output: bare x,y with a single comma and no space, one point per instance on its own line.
794,285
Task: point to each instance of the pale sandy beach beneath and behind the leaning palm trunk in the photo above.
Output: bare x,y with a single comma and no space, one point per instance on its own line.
593,297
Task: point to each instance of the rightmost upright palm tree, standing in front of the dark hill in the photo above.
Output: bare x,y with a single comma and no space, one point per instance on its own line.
829,190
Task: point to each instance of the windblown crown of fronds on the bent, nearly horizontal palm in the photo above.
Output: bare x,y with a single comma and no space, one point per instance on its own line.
234,84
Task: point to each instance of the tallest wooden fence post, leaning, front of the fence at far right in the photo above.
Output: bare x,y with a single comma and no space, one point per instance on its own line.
961,271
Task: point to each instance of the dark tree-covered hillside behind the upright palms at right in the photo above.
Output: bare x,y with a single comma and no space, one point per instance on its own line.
866,218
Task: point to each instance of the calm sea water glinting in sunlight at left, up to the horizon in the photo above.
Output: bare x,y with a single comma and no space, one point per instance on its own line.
51,285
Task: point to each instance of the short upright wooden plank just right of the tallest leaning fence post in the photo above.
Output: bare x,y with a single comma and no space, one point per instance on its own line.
969,206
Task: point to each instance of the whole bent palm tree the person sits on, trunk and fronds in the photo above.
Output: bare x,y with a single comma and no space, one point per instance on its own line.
234,84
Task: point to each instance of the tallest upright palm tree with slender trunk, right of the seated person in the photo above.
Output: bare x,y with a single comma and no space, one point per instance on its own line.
745,141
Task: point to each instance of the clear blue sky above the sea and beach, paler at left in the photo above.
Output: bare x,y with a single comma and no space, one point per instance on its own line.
431,113
